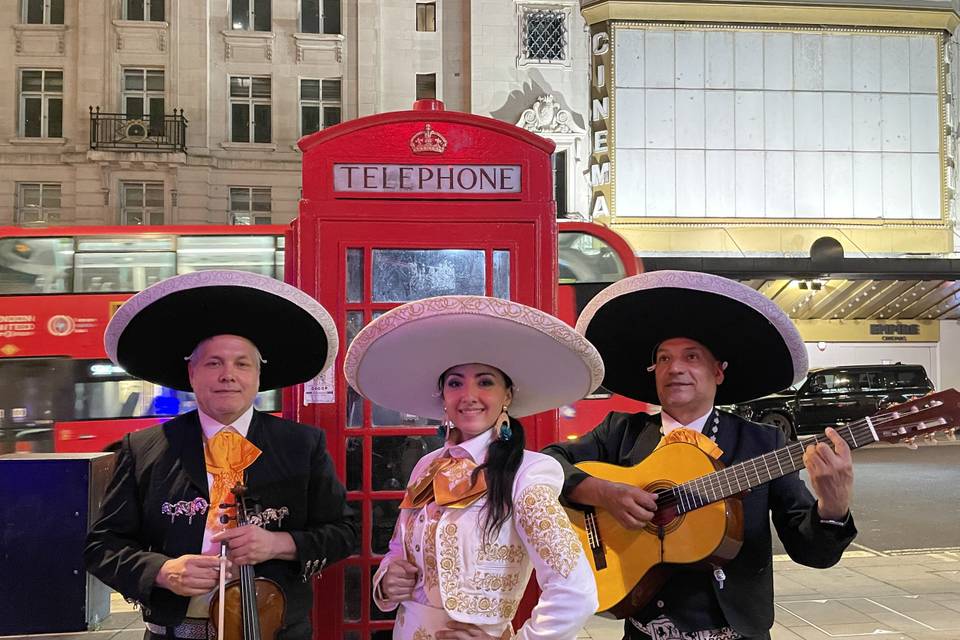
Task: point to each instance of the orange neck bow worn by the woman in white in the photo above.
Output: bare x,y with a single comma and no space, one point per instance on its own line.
450,482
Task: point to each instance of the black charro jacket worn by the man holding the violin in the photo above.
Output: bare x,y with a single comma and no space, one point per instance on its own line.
132,538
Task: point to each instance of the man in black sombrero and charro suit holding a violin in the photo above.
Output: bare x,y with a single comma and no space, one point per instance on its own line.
167,536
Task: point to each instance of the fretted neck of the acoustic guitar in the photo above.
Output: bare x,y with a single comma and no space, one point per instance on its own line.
754,472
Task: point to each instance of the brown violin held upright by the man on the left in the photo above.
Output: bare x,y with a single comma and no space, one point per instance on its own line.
253,606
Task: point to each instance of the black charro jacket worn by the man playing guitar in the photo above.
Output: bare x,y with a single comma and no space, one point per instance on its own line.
746,599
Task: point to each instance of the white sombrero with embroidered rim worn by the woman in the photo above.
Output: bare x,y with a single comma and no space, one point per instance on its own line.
396,361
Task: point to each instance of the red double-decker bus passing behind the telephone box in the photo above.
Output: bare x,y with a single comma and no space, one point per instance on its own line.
59,287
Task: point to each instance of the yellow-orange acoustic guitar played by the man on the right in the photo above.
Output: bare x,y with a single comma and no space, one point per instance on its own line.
699,517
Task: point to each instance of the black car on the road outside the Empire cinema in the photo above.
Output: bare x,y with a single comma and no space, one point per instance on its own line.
837,395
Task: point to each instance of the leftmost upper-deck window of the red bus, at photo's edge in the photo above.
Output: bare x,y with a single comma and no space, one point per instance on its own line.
36,265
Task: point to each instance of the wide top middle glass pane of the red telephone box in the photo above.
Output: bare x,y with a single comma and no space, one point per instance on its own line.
402,275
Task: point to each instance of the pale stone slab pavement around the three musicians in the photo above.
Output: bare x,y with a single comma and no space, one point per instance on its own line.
908,594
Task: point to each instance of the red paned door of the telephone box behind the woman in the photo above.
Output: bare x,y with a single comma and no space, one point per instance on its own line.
380,266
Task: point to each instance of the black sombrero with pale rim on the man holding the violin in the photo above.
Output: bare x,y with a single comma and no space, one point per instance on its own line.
152,332
